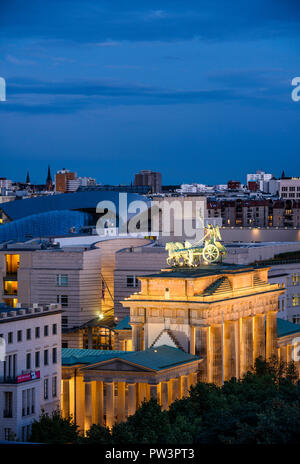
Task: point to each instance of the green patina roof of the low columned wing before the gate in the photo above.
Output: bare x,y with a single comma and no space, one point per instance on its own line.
159,358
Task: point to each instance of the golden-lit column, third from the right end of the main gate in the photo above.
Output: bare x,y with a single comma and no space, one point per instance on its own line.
246,344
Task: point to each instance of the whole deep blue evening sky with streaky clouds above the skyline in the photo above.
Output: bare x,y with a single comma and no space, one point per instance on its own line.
199,90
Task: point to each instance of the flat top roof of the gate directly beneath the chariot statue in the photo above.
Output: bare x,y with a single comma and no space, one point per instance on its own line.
204,270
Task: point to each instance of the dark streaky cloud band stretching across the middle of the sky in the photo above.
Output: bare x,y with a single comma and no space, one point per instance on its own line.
34,96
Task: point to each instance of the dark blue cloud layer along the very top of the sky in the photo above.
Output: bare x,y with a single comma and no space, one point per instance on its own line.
108,23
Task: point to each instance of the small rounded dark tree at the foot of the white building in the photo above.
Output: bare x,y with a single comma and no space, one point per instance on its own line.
54,429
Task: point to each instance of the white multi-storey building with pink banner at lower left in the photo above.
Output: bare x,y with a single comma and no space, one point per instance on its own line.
30,367
